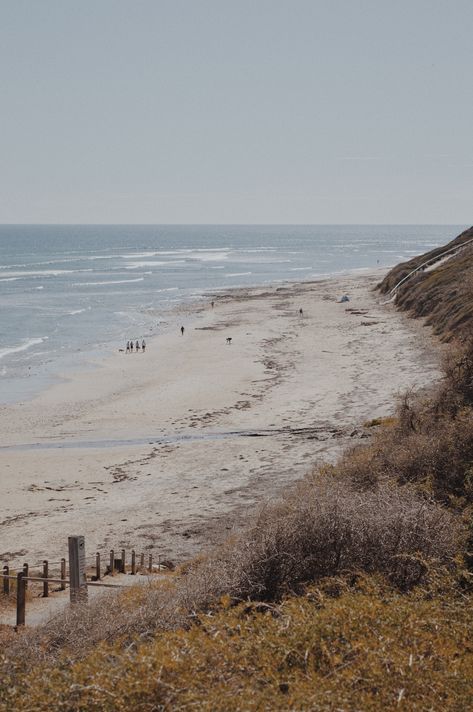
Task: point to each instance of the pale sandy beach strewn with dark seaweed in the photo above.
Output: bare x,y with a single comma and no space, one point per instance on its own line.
171,449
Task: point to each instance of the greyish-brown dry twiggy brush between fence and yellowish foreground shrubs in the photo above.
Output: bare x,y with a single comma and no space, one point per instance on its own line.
326,527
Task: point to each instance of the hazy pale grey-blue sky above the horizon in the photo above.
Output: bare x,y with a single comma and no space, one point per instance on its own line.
236,111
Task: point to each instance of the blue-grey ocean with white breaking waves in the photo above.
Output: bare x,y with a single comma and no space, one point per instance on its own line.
70,294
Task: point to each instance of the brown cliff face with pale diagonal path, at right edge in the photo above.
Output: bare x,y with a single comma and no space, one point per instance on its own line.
443,293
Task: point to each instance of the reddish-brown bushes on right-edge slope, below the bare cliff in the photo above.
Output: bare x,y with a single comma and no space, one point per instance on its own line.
430,444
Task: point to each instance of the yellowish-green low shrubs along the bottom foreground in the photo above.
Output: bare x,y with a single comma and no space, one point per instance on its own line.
358,647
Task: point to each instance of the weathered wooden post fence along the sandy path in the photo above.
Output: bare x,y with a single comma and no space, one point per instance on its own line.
80,573
